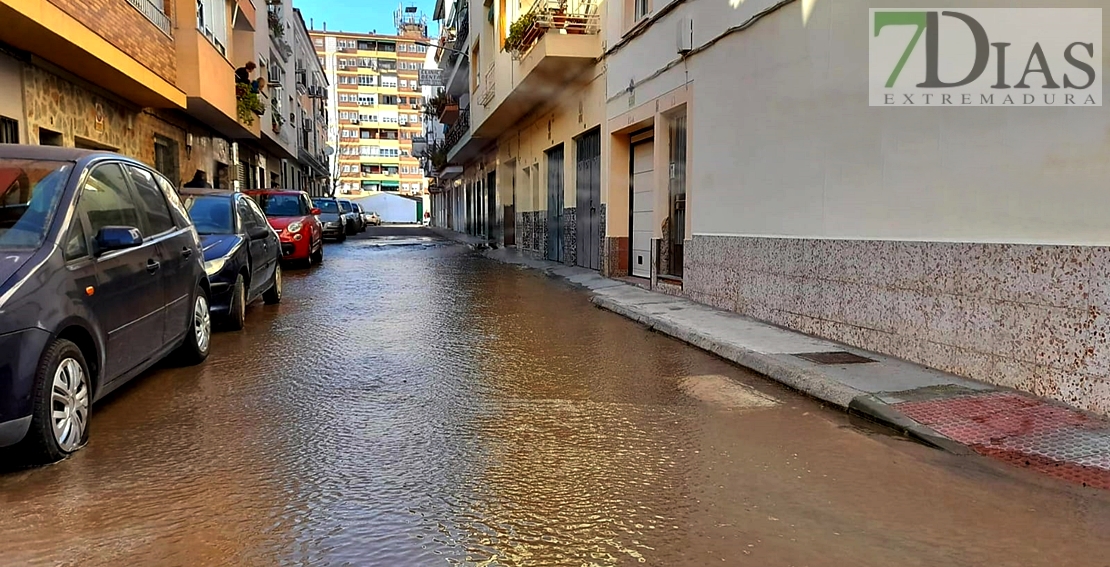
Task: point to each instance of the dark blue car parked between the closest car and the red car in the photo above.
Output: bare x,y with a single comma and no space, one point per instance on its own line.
243,252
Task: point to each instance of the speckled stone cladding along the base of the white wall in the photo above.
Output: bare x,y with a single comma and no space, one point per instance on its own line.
1027,317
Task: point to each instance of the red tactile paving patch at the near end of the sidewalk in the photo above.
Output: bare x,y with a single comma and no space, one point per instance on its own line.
1023,431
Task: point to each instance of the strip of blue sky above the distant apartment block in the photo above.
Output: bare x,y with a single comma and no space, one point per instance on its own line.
361,16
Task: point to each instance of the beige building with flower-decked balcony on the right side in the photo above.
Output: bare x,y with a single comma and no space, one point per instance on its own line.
526,126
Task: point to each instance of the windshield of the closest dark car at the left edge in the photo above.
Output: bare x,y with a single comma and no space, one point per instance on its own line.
29,195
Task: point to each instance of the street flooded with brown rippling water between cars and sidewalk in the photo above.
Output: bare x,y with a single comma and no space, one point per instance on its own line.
417,404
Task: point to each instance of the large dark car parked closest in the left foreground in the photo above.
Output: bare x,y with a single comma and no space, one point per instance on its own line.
102,276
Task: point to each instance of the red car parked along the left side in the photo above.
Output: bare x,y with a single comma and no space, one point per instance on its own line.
292,216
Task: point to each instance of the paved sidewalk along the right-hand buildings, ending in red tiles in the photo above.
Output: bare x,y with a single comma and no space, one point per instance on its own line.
939,409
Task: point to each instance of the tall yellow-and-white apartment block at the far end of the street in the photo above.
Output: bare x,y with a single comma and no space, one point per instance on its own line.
376,107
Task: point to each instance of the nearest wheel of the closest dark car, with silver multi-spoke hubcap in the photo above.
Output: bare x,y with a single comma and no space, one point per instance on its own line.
62,407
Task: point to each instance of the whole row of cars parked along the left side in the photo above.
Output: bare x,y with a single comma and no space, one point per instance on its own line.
107,268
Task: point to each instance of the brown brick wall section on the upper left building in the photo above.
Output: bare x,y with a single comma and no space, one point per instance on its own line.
129,31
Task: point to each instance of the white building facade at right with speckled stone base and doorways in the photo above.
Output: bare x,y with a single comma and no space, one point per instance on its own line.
749,173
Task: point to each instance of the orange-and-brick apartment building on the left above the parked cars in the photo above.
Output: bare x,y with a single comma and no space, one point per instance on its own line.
150,79
